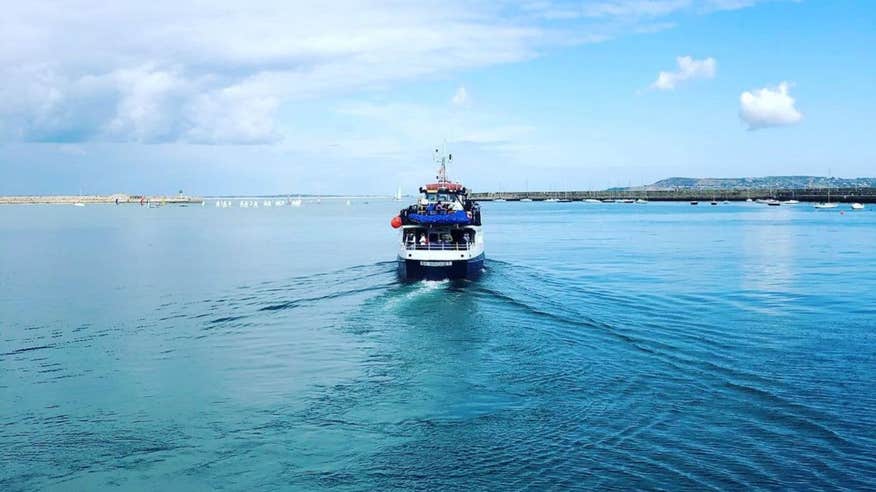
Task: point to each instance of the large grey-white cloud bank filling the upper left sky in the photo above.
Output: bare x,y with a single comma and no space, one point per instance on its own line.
169,71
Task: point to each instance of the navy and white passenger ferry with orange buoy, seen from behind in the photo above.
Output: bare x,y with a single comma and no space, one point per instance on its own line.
441,235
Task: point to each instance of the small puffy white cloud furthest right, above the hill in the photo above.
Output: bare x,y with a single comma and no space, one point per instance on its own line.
770,106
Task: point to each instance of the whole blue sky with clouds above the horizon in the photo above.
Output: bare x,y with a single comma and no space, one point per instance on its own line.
348,97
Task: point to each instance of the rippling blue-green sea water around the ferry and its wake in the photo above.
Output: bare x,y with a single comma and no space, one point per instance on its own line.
607,346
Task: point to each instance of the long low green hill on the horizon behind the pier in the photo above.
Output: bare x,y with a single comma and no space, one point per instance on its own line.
781,182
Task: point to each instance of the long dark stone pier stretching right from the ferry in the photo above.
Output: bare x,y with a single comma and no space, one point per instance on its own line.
842,195
